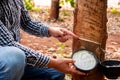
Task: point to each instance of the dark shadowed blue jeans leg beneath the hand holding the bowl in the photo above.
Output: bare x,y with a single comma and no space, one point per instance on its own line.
32,73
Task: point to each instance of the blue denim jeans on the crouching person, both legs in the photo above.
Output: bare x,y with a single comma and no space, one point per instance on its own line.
13,67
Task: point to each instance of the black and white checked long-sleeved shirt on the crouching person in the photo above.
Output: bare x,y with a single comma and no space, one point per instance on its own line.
14,16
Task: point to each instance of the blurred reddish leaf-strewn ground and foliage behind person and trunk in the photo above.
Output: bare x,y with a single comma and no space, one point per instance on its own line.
40,11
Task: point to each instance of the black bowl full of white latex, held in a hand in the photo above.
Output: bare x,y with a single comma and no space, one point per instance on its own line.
85,60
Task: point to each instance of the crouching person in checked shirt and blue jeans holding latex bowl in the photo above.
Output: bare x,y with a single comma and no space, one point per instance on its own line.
15,57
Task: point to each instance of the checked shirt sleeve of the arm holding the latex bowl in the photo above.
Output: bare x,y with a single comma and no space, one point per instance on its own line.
33,58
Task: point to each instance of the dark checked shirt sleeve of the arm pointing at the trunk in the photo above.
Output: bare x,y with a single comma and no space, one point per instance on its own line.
31,26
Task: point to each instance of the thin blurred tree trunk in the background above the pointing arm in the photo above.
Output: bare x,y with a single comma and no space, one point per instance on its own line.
54,12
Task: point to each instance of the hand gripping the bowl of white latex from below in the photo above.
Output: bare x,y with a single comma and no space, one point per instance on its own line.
64,65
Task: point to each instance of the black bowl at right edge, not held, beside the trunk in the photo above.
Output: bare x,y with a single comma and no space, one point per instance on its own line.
110,68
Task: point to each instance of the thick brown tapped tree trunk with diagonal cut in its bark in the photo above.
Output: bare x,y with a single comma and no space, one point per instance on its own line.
90,24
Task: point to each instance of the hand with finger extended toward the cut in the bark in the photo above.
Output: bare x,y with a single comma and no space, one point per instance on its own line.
61,34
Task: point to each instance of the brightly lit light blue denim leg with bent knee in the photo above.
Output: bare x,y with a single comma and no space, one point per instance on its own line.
12,63
